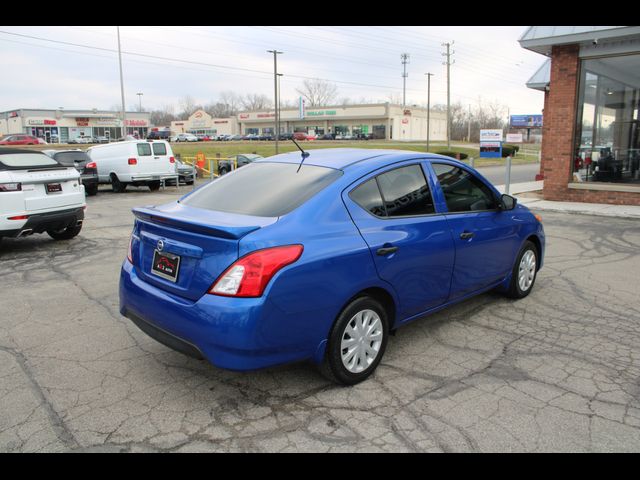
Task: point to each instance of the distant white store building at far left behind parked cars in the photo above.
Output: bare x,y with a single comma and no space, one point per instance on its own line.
60,126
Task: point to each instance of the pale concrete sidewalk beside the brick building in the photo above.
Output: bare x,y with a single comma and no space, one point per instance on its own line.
599,209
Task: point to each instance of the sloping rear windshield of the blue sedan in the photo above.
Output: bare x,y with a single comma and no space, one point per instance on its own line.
263,189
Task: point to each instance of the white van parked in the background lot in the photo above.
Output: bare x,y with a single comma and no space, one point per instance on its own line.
138,162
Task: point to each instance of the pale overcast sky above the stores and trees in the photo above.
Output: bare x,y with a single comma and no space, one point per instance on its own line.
364,62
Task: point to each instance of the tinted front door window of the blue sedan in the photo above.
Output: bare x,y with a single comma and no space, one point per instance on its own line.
463,192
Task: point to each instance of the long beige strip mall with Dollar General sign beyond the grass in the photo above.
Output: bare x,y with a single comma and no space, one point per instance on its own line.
383,121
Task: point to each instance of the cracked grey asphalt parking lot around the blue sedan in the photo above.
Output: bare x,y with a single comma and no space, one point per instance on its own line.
556,371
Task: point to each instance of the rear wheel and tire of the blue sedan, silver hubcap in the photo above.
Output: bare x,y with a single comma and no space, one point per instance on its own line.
347,367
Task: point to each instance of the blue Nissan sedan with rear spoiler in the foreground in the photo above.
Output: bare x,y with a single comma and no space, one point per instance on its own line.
320,256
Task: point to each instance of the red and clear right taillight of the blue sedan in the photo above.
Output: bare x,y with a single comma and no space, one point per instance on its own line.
249,276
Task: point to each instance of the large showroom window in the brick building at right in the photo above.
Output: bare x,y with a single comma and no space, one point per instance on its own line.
607,143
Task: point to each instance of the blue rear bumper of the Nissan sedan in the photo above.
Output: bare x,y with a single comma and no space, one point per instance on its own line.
226,331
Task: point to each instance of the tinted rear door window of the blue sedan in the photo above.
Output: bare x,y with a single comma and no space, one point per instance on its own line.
398,193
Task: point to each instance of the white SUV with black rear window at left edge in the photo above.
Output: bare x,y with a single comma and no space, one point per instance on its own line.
38,195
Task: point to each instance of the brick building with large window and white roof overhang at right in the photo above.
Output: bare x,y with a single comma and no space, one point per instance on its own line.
591,136
